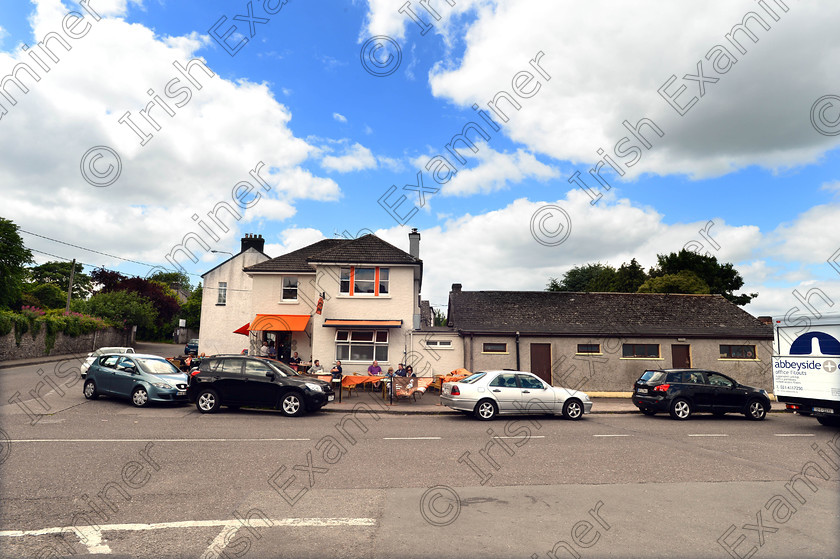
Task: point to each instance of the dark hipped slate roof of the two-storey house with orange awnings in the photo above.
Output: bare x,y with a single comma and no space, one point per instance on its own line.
368,249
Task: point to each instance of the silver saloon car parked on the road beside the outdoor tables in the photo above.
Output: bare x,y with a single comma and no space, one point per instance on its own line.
491,393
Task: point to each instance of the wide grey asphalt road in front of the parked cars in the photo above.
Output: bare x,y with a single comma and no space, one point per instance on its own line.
170,482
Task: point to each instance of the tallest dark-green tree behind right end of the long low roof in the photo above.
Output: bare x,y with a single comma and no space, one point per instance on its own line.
722,279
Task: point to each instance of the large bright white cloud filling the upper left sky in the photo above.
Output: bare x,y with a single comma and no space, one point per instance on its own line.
188,167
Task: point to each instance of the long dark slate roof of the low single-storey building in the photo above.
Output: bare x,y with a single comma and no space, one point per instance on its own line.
601,314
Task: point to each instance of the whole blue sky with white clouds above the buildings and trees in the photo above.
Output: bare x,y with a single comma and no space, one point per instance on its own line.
520,137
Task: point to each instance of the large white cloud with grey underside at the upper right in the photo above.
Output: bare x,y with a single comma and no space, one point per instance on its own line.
606,61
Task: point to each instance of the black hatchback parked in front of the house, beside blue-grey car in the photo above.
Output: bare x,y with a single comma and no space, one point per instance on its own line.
239,380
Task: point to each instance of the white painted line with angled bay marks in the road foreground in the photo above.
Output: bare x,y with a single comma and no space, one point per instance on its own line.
92,537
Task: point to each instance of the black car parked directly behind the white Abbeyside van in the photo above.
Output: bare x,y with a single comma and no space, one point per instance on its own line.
682,392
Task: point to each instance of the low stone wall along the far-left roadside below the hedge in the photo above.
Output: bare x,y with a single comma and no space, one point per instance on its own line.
64,344
